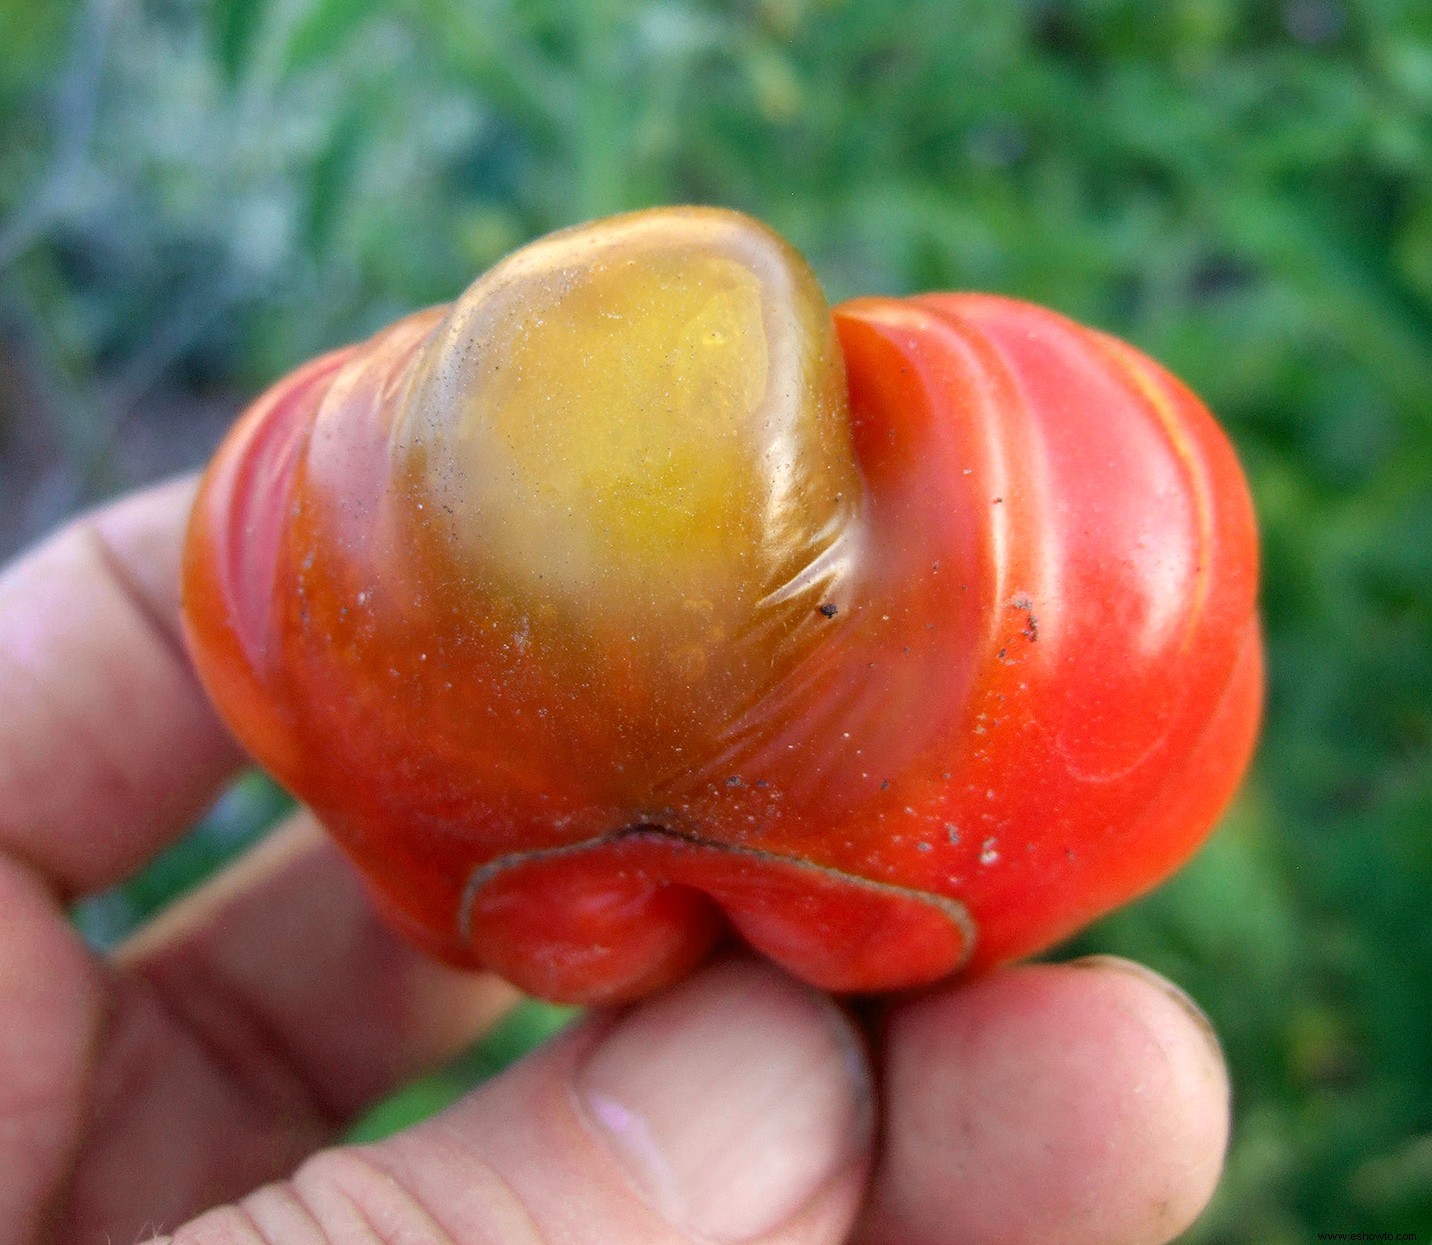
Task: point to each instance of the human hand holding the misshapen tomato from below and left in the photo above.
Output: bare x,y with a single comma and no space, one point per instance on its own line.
213,1059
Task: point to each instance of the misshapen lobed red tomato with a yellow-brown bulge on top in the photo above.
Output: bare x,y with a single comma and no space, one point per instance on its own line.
635,600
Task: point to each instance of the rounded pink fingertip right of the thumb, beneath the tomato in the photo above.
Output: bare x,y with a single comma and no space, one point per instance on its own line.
1085,1104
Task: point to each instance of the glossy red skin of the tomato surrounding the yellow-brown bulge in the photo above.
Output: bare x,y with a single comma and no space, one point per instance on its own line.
1036,693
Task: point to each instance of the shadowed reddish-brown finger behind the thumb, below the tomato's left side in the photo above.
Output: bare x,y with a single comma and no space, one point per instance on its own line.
248,1027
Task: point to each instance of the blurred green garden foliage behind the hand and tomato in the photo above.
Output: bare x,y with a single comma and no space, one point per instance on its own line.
198,196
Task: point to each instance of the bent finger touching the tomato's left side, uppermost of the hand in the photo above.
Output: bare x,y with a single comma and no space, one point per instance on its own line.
108,746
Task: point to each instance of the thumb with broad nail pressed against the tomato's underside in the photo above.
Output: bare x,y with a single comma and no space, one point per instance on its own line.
731,1108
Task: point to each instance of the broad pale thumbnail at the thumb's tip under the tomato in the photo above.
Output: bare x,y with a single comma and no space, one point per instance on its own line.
731,1101
